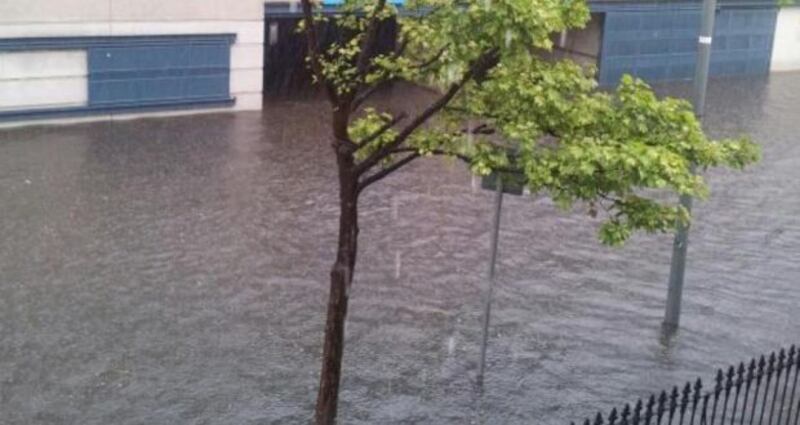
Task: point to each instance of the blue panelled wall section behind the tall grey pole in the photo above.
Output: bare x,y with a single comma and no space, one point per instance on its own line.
658,41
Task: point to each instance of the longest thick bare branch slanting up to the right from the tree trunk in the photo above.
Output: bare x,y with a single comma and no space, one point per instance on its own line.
483,64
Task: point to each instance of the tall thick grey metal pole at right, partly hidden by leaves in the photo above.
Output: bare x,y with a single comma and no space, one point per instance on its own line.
678,266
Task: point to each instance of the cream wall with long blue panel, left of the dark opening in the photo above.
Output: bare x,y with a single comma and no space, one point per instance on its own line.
88,59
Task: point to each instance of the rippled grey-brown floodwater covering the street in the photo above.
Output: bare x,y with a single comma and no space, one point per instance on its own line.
174,271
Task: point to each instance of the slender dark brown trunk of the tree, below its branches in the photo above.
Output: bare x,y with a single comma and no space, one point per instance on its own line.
341,279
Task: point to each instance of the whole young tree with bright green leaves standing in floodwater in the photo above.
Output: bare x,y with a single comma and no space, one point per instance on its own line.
498,92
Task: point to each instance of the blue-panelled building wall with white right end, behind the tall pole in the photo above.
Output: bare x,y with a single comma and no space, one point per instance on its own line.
657,41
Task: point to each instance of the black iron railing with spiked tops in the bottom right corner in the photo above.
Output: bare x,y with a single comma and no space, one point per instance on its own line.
761,392
